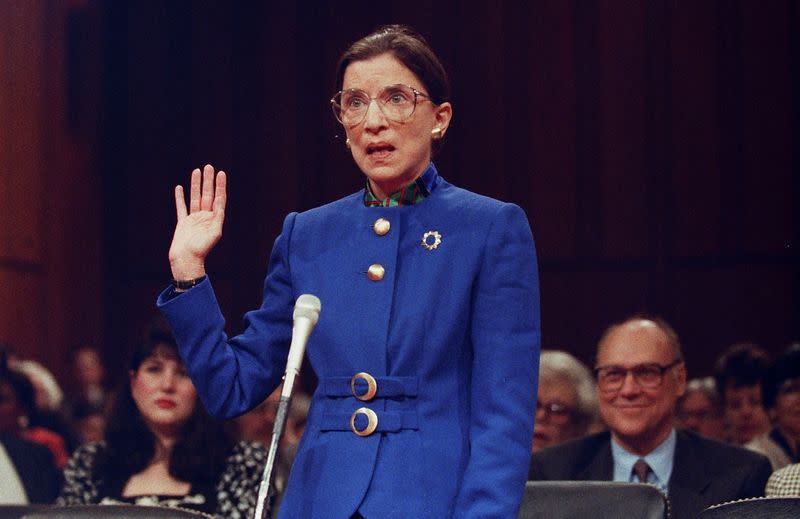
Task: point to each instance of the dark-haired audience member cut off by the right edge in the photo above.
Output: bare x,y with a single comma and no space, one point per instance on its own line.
781,391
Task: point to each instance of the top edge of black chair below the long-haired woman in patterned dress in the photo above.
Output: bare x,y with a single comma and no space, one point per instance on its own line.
114,512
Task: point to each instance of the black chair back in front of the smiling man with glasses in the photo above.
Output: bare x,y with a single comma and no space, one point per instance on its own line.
582,499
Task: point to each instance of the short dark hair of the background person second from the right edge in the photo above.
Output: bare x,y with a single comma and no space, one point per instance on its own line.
742,364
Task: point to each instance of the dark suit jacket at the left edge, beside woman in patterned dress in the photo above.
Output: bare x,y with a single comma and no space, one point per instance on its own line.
35,468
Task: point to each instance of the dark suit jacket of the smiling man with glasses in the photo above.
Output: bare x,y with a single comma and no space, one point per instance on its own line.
705,472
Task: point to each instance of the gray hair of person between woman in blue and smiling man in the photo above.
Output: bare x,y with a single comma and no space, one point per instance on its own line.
555,365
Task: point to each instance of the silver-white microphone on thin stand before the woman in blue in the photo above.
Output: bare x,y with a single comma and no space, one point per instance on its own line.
305,317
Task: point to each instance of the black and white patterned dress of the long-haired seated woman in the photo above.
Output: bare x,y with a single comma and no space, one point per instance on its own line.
233,497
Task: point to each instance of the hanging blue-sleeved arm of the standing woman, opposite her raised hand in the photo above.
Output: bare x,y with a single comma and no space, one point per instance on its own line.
505,340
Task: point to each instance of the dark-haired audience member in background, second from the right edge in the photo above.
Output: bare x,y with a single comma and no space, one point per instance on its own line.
738,374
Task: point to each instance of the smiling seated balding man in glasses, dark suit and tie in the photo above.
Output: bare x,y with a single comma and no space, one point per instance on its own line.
640,375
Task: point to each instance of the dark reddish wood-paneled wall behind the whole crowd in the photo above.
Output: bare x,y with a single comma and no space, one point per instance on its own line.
652,143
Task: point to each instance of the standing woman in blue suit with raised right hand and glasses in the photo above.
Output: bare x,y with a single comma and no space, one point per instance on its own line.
427,348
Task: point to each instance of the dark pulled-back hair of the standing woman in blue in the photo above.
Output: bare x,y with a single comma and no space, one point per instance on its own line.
410,48
